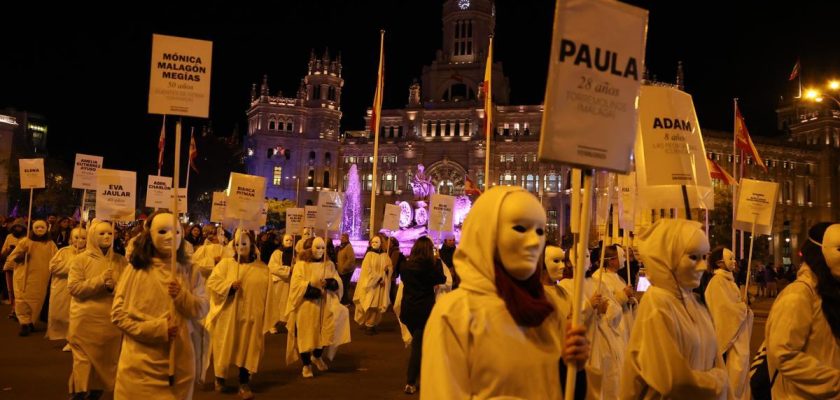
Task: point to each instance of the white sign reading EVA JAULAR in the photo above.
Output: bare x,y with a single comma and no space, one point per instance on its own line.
115,194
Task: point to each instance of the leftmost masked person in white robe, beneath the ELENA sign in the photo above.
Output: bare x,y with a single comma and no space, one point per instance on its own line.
31,263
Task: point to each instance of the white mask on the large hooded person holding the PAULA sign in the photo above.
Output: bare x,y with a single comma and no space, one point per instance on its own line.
521,234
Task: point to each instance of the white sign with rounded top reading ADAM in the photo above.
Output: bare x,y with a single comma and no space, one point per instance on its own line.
670,152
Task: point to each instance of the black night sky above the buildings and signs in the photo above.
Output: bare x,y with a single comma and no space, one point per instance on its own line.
89,76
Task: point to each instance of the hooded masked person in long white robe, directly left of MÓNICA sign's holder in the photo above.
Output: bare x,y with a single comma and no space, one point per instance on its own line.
94,340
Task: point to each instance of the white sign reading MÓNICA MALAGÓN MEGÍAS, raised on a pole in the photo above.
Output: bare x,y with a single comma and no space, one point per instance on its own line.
180,76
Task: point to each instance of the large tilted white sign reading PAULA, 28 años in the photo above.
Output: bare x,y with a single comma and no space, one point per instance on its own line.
594,73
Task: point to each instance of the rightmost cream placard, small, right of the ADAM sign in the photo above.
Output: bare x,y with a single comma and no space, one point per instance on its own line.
756,201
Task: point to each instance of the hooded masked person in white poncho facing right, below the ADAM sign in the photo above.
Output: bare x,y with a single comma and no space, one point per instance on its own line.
672,353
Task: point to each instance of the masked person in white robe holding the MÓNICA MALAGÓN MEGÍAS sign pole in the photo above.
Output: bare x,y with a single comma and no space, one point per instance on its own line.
158,312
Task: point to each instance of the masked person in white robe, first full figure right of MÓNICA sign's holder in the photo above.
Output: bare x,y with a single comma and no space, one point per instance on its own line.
239,316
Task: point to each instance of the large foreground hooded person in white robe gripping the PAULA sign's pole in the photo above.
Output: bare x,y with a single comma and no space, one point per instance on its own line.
498,335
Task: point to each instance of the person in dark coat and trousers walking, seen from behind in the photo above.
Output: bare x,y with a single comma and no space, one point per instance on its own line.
420,274
